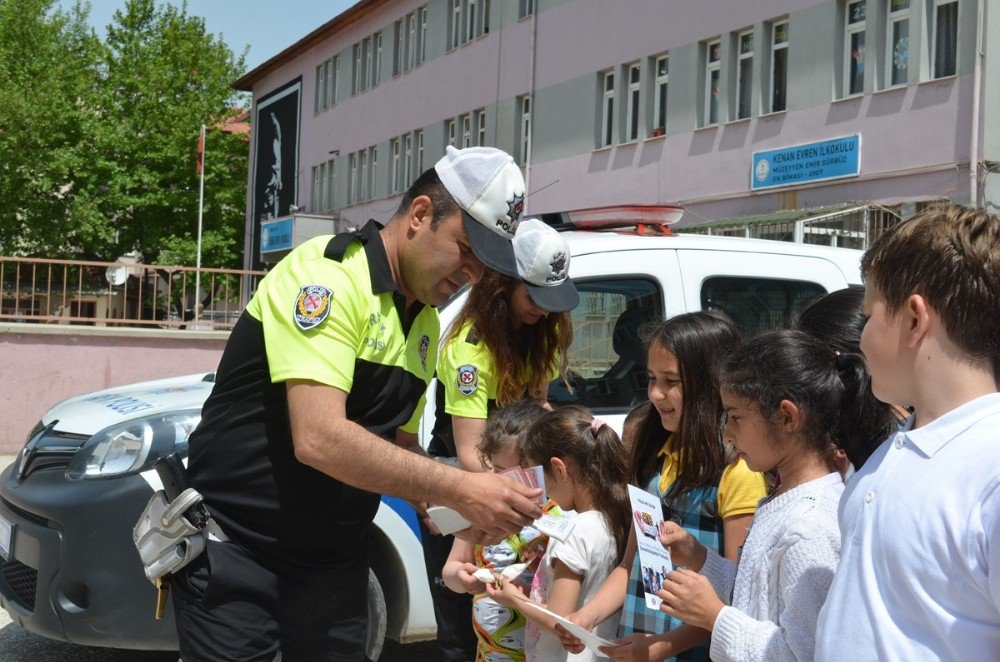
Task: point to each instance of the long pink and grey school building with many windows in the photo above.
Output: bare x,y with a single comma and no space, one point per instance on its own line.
808,120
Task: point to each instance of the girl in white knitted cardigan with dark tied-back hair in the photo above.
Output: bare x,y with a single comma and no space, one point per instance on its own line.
788,398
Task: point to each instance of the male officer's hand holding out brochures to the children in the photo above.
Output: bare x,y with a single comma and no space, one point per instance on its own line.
496,504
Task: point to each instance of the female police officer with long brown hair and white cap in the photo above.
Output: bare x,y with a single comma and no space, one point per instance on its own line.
508,342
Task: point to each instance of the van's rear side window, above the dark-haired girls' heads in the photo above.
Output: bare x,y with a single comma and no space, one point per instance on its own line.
758,304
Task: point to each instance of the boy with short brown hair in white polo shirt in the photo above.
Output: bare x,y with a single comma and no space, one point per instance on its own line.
919,576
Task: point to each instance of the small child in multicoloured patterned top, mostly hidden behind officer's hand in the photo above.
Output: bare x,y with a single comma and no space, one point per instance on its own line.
499,628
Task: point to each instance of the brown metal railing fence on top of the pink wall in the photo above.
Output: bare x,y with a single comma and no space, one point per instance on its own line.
34,290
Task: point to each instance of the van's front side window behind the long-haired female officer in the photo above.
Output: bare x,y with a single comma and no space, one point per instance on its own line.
607,359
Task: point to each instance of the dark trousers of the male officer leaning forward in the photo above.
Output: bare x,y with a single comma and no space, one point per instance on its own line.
231,608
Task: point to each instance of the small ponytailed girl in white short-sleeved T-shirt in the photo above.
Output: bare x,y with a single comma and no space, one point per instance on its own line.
584,464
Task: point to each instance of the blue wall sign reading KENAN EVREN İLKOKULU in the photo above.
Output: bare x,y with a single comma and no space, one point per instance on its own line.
802,164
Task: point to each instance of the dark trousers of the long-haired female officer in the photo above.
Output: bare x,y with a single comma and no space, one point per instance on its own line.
452,611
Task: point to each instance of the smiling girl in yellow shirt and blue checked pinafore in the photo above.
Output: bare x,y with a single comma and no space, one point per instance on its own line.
679,456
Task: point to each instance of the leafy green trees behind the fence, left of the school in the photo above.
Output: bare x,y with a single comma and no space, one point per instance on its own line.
120,122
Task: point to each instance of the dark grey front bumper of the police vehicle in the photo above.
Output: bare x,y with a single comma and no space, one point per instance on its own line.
72,572
